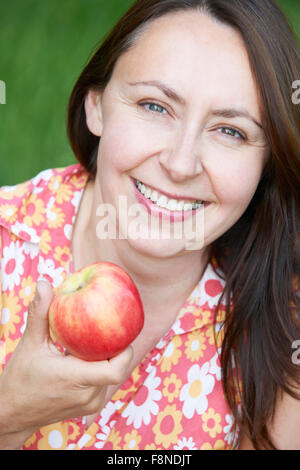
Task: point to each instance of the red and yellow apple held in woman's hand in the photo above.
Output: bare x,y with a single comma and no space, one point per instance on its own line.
96,312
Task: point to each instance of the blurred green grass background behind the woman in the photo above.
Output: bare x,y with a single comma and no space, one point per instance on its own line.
44,44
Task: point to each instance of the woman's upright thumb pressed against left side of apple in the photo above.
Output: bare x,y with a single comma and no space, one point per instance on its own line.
37,328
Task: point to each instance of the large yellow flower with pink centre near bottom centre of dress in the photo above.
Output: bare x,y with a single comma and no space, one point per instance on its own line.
168,426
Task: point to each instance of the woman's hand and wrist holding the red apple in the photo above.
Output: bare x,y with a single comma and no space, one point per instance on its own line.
40,385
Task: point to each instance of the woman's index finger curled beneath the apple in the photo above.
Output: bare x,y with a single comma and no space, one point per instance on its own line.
110,372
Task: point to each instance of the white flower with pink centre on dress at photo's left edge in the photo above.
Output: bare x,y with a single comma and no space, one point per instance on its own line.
12,266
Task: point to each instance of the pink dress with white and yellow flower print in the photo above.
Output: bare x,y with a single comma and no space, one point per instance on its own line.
174,398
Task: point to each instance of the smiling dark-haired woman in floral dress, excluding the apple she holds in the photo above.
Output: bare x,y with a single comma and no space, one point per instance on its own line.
185,110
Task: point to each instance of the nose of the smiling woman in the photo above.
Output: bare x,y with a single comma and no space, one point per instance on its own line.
182,161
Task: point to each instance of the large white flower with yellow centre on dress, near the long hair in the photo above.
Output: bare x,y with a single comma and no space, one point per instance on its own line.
194,393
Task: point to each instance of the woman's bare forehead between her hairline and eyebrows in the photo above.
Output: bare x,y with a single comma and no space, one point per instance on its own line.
194,53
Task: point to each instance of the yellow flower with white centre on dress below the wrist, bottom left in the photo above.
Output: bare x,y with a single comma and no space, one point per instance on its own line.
56,436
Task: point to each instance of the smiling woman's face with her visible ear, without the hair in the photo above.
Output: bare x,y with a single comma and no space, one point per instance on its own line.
181,116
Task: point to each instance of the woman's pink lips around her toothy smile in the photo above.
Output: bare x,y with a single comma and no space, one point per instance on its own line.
163,213
